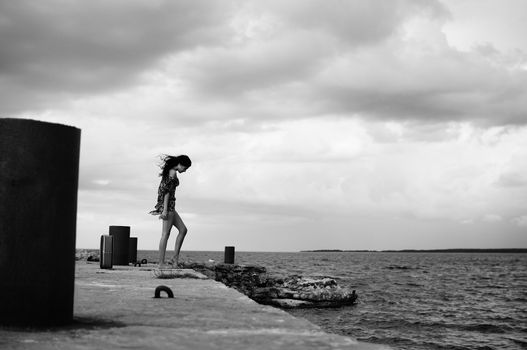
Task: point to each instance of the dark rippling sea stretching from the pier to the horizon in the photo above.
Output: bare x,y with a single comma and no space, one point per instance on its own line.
410,300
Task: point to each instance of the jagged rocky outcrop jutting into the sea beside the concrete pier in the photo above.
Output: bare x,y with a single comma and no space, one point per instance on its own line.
293,291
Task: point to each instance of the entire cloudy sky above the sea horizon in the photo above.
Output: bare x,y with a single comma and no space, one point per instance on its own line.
375,124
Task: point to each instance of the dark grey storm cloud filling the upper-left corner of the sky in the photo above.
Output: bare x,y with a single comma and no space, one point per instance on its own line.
73,48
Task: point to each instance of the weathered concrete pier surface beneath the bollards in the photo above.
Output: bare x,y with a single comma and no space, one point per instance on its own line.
115,309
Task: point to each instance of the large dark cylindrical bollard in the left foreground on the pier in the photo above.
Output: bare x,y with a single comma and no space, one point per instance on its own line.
39,175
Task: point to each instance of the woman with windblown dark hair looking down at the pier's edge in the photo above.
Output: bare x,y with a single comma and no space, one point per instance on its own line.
165,206
